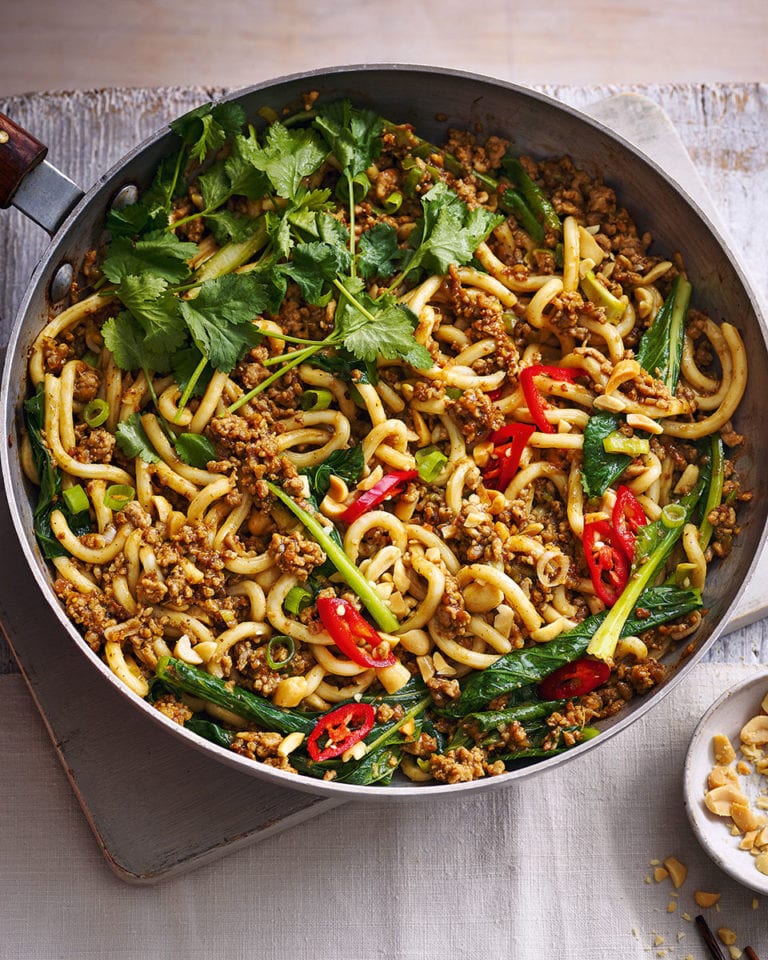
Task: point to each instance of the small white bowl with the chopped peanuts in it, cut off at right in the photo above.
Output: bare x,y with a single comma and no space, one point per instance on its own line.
726,782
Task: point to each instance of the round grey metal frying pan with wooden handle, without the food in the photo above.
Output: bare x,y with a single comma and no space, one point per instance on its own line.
433,99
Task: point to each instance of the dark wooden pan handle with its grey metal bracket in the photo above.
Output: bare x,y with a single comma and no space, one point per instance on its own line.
29,182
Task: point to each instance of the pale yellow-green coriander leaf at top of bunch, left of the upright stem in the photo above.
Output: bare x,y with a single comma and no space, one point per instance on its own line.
286,157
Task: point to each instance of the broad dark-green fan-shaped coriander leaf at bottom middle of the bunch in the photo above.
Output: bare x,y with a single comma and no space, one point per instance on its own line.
219,318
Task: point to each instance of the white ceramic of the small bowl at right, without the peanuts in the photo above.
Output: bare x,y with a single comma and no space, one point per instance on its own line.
727,715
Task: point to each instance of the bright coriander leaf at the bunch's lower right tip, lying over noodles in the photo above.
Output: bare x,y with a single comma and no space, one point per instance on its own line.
372,328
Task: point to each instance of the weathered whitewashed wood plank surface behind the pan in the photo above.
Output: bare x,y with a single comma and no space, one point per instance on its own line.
722,127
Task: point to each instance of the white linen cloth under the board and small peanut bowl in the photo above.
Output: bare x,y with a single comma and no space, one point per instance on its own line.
556,866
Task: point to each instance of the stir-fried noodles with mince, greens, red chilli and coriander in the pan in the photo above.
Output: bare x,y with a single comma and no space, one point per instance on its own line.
358,454
